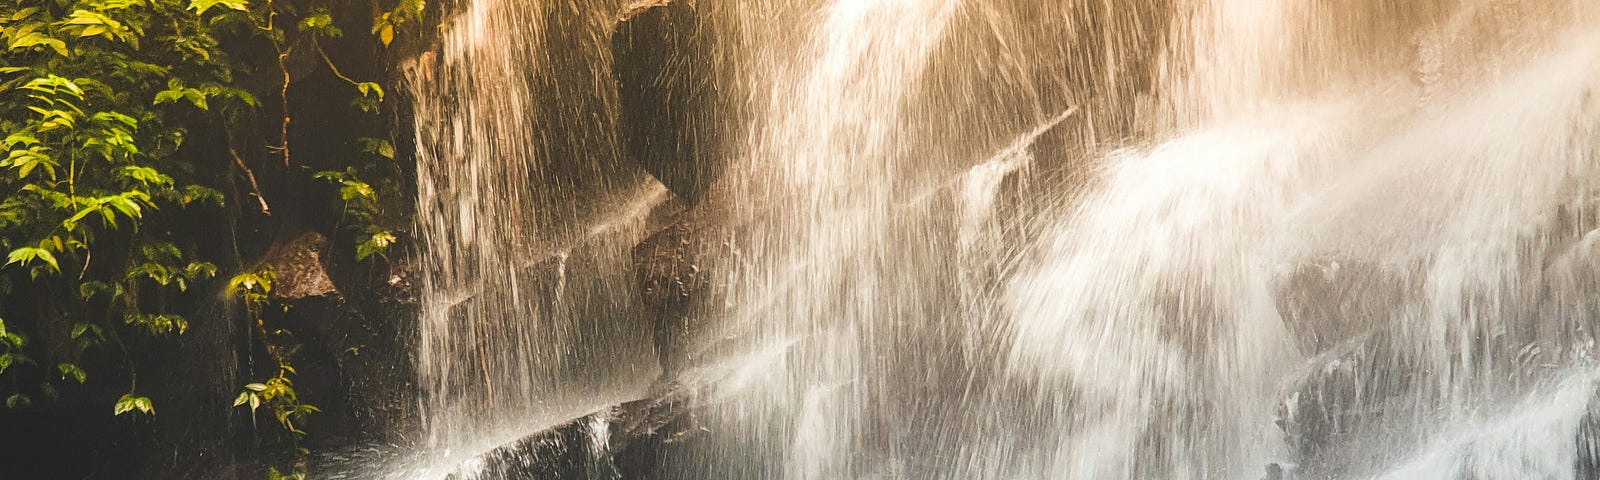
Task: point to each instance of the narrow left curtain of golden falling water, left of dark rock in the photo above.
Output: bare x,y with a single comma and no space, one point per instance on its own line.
526,225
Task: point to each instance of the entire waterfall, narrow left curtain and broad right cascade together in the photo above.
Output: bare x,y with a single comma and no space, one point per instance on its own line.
1006,239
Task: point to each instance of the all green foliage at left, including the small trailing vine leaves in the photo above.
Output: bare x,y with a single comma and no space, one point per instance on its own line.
98,100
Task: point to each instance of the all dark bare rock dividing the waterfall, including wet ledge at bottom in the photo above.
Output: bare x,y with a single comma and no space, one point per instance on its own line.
660,65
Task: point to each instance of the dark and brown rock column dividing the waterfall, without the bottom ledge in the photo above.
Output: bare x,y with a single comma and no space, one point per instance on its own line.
662,65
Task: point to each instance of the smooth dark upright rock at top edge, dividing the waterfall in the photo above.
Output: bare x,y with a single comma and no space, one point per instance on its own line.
660,60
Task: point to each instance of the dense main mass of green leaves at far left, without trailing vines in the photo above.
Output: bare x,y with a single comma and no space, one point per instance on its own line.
95,175
